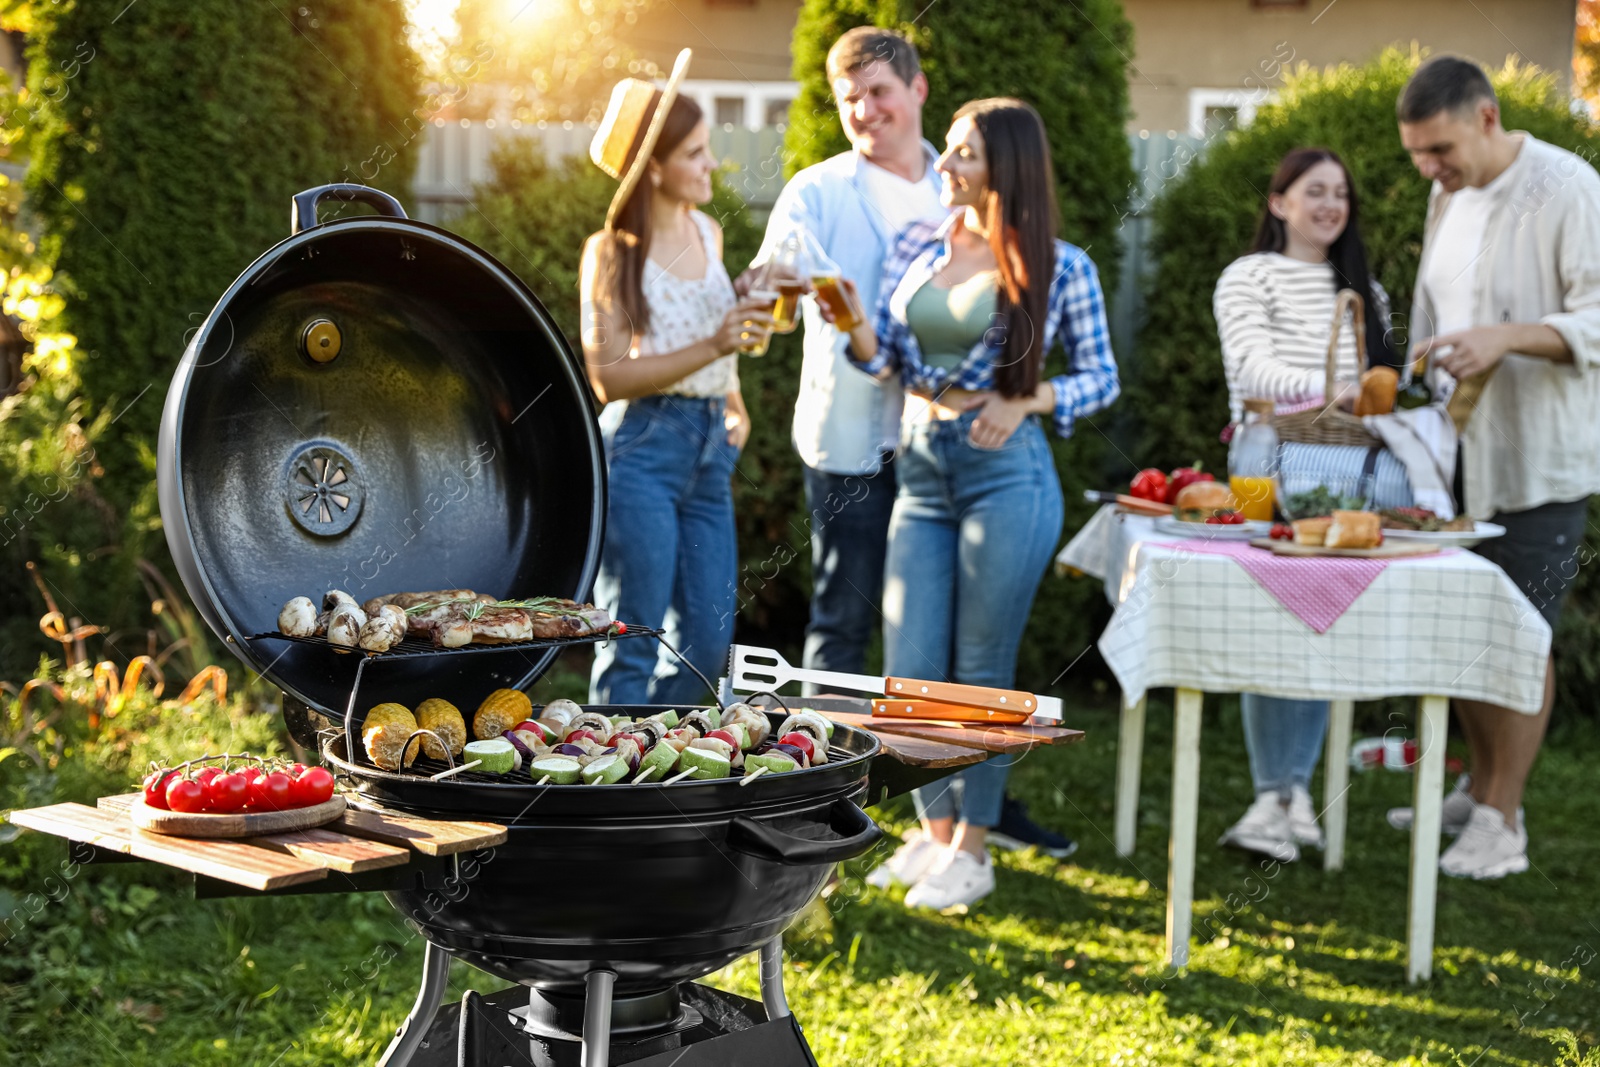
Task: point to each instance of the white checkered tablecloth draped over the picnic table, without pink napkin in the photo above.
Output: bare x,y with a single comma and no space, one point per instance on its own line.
1438,625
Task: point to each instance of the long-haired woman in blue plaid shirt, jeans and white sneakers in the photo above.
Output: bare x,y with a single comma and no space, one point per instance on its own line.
969,311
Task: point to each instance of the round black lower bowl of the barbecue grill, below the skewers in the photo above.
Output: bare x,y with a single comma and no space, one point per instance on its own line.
658,884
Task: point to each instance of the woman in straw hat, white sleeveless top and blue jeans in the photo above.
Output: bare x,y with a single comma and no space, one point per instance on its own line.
662,326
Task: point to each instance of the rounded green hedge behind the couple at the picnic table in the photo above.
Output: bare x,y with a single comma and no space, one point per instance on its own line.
1204,220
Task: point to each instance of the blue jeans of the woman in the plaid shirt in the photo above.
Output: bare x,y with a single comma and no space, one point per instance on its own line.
972,535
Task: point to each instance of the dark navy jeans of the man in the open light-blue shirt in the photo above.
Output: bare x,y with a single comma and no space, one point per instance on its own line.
850,526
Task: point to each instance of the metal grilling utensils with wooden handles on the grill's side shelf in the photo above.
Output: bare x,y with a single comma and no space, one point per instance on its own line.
762,669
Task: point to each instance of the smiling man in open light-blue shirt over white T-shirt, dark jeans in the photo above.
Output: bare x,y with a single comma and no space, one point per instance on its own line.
847,423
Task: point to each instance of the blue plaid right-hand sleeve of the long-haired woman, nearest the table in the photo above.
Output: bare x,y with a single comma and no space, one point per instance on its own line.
1078,308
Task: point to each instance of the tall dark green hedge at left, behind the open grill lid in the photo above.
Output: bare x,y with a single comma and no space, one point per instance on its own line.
167,138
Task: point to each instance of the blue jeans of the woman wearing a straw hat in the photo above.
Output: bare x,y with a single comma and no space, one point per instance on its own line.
671,556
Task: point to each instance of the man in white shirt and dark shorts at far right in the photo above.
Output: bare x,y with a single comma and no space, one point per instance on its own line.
1508,306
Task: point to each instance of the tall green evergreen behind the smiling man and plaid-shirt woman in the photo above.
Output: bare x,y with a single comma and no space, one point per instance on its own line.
1071,63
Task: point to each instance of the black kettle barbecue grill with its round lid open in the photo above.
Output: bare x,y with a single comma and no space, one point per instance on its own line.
377,406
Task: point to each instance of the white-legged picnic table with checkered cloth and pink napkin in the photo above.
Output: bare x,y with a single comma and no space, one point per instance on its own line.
1210,617
